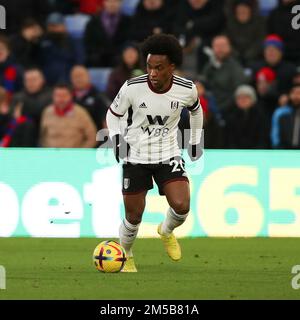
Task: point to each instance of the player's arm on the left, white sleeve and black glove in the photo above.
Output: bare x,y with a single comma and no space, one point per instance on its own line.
117,109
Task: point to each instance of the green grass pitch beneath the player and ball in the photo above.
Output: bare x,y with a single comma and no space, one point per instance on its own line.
211,268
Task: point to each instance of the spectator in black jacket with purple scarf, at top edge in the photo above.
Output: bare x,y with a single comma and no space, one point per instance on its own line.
105,35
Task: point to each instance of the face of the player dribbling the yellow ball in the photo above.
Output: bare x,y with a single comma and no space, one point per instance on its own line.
160,71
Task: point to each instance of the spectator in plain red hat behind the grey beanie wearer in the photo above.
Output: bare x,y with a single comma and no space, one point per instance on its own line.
266,87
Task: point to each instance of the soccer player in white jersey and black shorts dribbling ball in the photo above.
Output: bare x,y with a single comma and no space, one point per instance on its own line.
147,141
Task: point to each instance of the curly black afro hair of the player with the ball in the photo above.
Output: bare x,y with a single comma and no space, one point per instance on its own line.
163,44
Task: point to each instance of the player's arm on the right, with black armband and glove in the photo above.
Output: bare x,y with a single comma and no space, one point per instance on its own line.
196,123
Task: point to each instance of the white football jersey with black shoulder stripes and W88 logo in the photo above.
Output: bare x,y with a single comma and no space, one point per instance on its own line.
151,117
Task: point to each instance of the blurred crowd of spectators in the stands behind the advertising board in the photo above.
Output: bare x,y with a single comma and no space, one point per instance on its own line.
243,55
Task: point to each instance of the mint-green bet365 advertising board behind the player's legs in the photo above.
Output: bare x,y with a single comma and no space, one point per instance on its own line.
77,193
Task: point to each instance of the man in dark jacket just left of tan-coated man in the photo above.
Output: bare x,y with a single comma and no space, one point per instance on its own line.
34,97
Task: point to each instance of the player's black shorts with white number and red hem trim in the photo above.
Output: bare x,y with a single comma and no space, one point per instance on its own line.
139,177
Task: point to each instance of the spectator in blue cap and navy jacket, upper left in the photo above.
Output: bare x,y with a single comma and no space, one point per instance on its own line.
57,51
